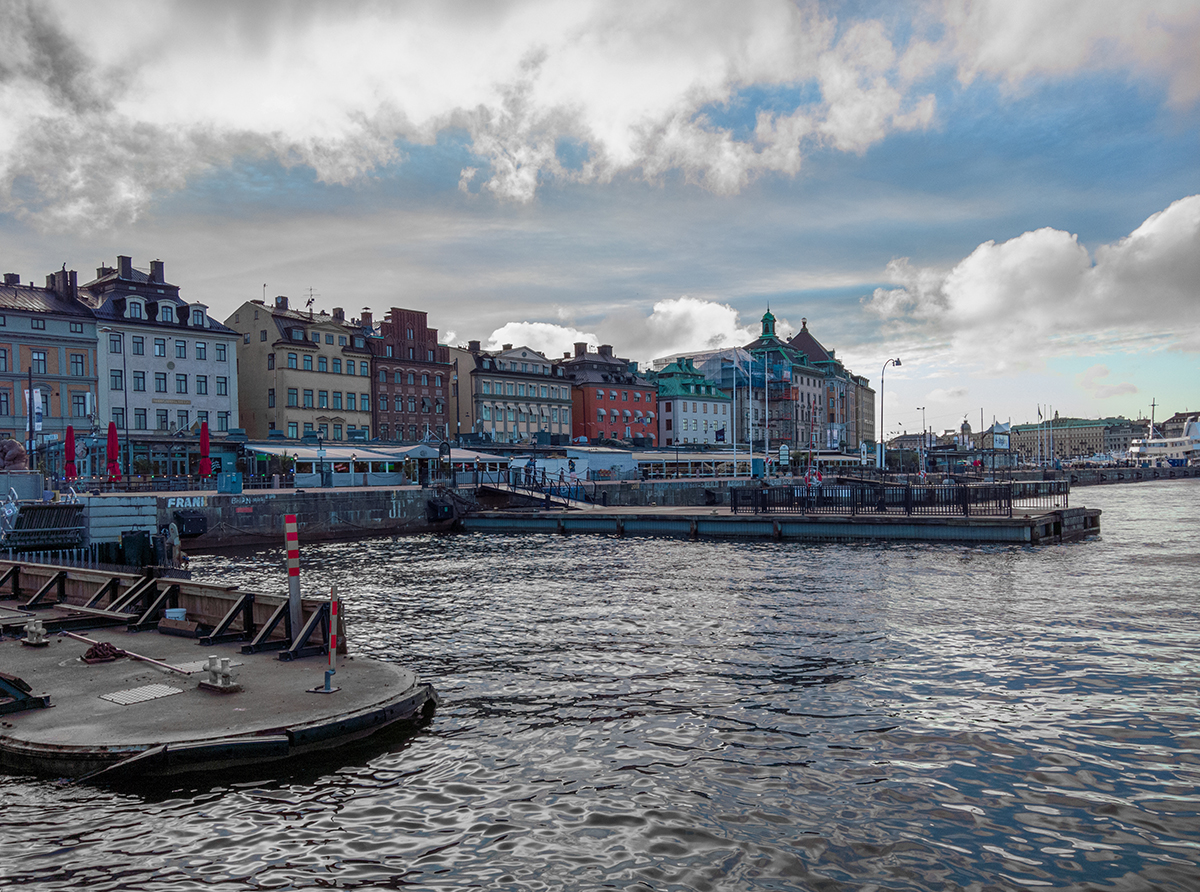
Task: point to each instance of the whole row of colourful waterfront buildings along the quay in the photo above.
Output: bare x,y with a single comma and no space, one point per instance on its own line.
128,348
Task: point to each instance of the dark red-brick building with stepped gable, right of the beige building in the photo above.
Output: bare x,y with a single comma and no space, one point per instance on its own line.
413,380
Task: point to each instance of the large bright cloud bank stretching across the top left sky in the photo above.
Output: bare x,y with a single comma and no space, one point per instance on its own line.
109,105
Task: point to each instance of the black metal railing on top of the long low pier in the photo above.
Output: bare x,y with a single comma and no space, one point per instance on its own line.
937,501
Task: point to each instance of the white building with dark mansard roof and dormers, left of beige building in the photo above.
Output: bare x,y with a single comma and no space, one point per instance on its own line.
164,364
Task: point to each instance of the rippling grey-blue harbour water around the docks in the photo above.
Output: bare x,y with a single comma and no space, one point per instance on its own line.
659,715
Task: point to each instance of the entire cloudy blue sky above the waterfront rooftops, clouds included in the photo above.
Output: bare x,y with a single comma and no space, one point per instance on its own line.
1004,195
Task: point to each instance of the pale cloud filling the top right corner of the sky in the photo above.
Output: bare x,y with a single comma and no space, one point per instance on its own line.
1016,40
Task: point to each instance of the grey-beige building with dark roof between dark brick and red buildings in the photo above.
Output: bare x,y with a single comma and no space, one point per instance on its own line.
512,396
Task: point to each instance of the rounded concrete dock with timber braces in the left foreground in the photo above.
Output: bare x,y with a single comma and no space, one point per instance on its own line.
218,690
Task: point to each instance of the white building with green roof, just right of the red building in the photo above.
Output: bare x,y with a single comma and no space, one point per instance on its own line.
692,410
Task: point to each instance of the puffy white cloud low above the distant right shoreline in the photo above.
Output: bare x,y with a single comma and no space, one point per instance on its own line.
1041,295
